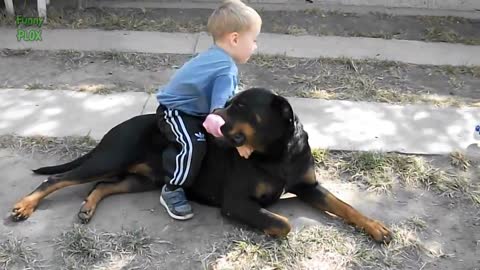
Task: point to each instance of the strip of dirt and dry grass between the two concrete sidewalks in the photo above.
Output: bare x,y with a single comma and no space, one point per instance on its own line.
315,78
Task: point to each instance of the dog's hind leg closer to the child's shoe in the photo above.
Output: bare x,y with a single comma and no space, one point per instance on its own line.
104,189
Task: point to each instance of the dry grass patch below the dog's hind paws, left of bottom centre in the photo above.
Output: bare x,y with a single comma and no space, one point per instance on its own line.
85,248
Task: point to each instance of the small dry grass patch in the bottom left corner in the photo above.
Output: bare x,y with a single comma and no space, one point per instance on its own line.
15,253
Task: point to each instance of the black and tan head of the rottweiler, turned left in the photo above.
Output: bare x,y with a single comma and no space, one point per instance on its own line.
257,117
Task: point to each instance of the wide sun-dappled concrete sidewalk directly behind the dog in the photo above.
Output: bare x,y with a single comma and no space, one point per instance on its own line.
336,125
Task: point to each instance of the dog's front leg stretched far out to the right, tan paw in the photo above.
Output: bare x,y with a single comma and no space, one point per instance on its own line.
320,198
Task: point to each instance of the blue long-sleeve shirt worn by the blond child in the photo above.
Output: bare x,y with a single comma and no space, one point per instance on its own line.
203,84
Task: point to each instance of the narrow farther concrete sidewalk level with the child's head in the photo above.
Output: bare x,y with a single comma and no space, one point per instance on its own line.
415,52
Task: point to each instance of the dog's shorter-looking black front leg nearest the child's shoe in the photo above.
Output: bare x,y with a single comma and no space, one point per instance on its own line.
250,213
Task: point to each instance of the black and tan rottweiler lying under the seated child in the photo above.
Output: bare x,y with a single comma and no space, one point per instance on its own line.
242,188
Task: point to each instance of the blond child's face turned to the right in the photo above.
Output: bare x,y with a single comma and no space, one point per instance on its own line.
246,44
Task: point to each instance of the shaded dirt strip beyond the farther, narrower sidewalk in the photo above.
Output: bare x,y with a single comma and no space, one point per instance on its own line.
310,21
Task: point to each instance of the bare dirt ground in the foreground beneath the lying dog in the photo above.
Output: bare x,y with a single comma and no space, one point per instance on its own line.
449,228
